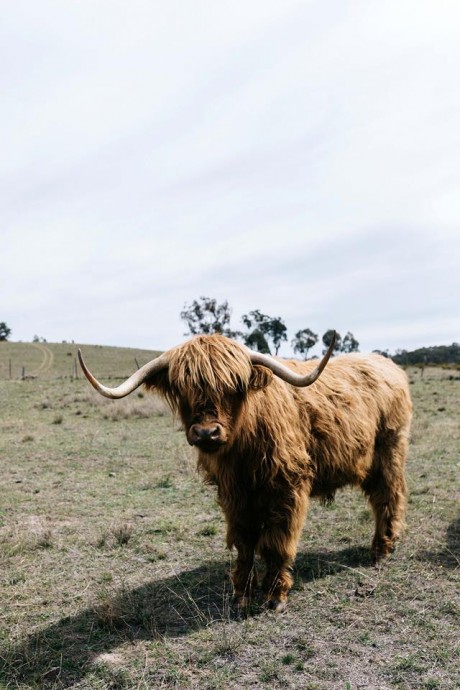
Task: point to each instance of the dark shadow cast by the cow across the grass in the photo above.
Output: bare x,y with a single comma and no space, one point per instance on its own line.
61,654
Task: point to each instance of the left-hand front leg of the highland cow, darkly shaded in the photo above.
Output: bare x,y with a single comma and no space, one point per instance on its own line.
244,576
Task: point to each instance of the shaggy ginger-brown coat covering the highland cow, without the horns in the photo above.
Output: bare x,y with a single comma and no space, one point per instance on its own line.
269,446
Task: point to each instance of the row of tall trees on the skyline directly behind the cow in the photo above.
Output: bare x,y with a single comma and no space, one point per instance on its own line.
262,332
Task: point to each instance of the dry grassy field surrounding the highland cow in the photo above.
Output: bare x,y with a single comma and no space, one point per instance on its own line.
114,574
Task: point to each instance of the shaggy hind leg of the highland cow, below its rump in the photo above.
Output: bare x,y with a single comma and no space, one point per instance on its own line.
386,490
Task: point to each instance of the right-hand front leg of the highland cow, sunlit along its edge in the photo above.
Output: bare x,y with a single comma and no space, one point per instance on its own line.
278,548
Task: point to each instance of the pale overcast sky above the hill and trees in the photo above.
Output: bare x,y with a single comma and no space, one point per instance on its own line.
297,157
